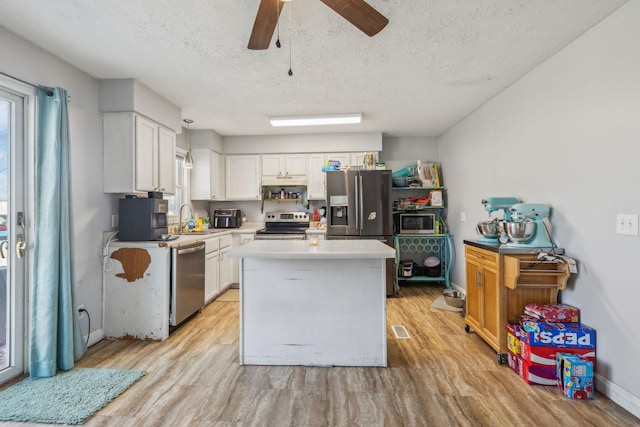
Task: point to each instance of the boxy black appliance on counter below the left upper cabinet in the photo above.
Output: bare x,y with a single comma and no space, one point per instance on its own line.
142,219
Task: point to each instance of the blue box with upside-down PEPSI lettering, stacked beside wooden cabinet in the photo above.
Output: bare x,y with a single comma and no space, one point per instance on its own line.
567,335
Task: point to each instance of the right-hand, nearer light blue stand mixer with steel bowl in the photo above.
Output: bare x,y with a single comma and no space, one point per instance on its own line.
526,227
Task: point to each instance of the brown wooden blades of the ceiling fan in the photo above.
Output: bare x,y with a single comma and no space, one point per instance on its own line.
358,12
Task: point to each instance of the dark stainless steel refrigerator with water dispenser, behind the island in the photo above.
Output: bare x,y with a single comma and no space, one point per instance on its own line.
360,206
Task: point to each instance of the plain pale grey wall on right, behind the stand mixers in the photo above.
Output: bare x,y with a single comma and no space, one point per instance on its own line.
568,134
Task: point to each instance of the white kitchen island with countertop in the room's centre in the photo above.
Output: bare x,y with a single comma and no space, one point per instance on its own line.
322,305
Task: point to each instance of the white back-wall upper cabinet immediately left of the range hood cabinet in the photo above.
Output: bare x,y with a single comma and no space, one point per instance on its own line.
243,176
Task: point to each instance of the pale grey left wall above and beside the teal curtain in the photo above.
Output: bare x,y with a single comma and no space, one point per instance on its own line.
91,207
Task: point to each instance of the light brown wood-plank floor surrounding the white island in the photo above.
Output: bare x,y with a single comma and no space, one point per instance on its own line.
442,376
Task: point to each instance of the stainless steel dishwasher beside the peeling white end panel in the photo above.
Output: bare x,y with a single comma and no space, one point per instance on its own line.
187,281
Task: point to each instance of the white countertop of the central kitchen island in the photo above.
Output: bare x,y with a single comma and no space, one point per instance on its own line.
302,249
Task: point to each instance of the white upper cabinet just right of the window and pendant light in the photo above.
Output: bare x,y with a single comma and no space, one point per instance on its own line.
207,175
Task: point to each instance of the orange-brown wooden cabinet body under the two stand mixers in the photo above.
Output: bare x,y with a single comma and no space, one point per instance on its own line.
499,286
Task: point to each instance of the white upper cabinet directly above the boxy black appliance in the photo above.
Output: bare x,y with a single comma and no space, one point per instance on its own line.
139,155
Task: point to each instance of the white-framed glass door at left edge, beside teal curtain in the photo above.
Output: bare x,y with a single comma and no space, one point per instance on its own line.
14,98
